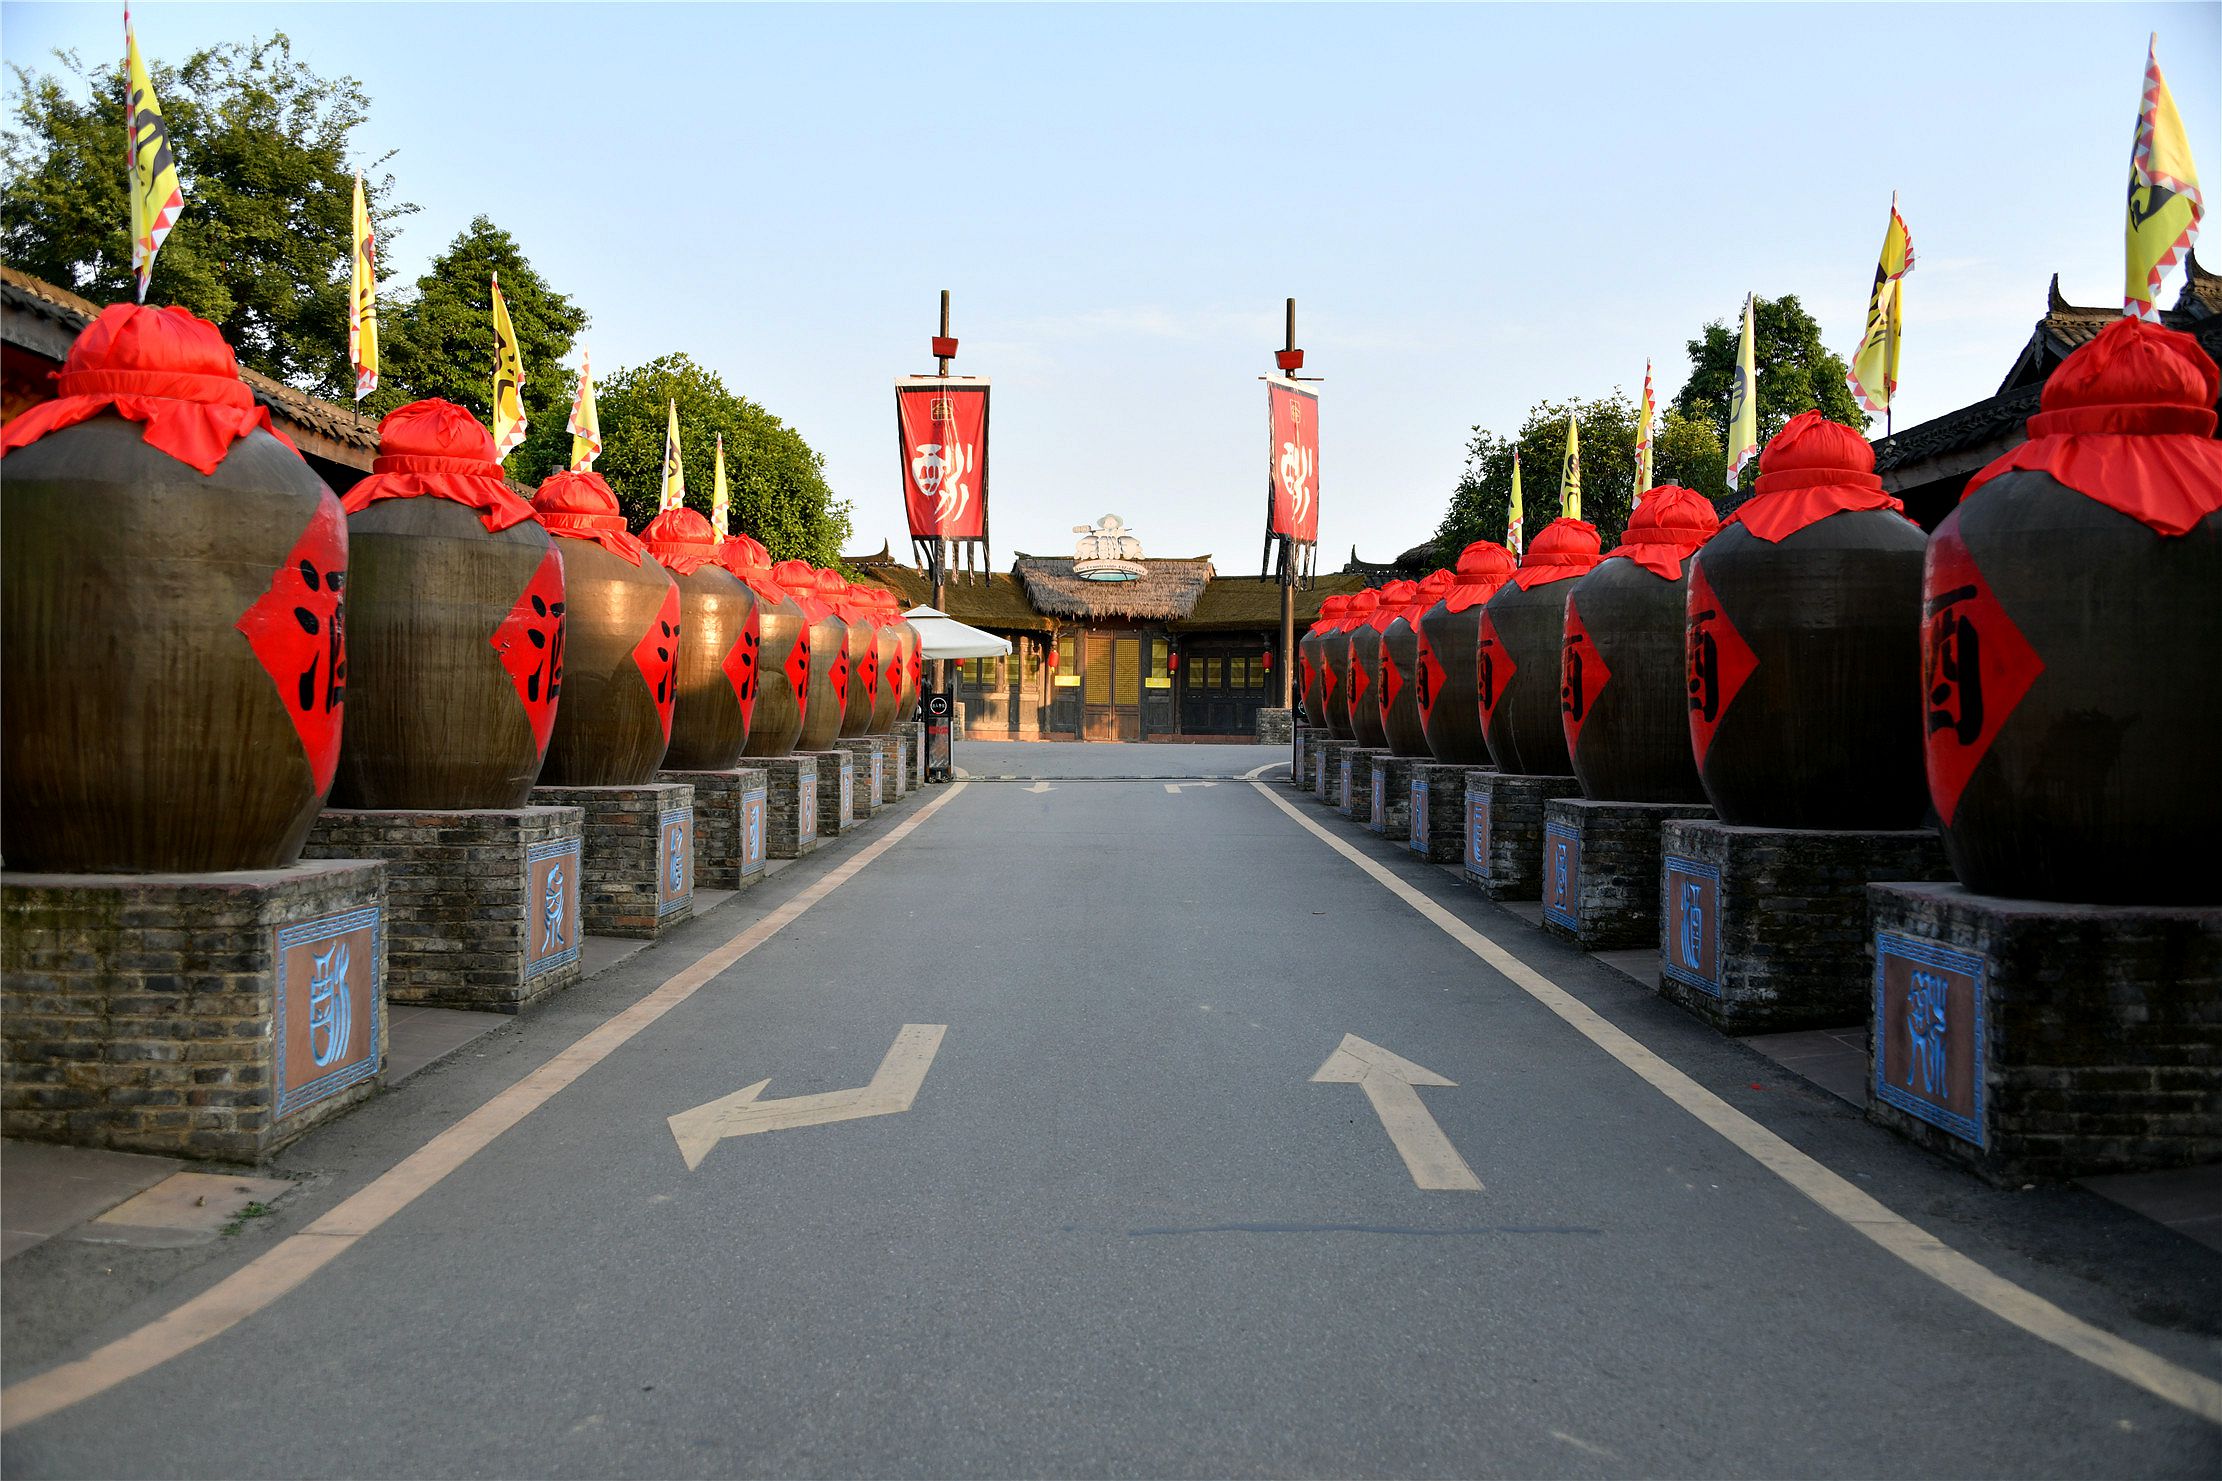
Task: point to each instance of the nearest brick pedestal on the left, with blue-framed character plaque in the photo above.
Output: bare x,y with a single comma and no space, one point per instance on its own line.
192,1016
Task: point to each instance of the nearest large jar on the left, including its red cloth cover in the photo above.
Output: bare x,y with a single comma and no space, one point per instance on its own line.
172,585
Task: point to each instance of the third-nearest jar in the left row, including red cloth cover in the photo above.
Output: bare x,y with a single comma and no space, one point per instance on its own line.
623,654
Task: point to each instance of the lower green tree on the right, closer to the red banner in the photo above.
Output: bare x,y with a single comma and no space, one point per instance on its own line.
1485,490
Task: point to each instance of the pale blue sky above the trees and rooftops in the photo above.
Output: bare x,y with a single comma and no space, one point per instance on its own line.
1477,208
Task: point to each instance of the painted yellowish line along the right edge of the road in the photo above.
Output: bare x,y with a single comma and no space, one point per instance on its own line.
1841,1198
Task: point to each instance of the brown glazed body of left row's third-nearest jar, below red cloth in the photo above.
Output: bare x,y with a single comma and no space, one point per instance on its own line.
610,727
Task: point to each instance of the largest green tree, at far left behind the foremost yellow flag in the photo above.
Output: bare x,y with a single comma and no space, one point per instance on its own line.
263,157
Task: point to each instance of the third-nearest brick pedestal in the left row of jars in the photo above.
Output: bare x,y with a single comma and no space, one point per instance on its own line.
639,856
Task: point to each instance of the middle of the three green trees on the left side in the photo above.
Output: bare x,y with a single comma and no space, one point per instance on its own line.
441,343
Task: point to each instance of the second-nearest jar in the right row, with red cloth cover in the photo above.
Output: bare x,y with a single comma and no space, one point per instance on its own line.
1805,645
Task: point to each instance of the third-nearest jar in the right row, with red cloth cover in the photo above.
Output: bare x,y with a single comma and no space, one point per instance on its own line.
1623,698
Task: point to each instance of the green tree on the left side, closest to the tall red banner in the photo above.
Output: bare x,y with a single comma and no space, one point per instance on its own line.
774,478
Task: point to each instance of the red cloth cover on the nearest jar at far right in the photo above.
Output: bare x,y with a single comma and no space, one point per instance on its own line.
2130,423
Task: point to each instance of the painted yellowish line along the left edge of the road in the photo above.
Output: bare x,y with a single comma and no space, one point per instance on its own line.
294,1260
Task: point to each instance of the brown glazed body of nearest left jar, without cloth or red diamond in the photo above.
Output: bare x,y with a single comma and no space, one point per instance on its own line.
141,734
